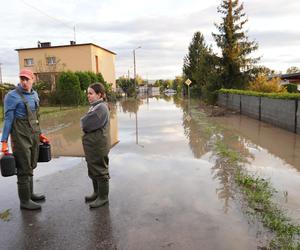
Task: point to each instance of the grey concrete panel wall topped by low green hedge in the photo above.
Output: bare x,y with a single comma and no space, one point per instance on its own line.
281,110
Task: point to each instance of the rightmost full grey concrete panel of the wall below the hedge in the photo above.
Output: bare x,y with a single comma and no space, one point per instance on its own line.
278,112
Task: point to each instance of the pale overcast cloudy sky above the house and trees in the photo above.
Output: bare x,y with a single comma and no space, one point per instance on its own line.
163,28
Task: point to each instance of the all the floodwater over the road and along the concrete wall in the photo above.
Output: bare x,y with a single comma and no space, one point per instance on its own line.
167,189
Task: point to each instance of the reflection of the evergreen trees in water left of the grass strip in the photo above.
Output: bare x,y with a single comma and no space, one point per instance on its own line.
202,137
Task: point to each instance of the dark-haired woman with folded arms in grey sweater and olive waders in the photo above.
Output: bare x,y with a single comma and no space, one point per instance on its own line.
96,144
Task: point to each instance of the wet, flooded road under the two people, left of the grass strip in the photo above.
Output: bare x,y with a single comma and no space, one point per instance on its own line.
165,192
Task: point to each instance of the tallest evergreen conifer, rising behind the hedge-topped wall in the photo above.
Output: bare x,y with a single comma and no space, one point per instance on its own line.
236,48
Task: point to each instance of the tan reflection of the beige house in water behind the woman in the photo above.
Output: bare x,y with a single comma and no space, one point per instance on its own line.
63,129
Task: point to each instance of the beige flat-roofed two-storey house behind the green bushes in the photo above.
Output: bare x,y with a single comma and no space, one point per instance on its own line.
47,61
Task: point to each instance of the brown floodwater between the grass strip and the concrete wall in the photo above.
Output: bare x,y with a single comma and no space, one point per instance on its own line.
275,155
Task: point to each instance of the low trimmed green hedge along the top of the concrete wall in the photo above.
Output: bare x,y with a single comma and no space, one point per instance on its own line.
292,96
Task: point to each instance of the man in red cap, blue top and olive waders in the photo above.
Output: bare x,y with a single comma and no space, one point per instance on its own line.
21,120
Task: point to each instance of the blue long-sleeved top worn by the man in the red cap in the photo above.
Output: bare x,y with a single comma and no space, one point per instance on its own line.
14,107
